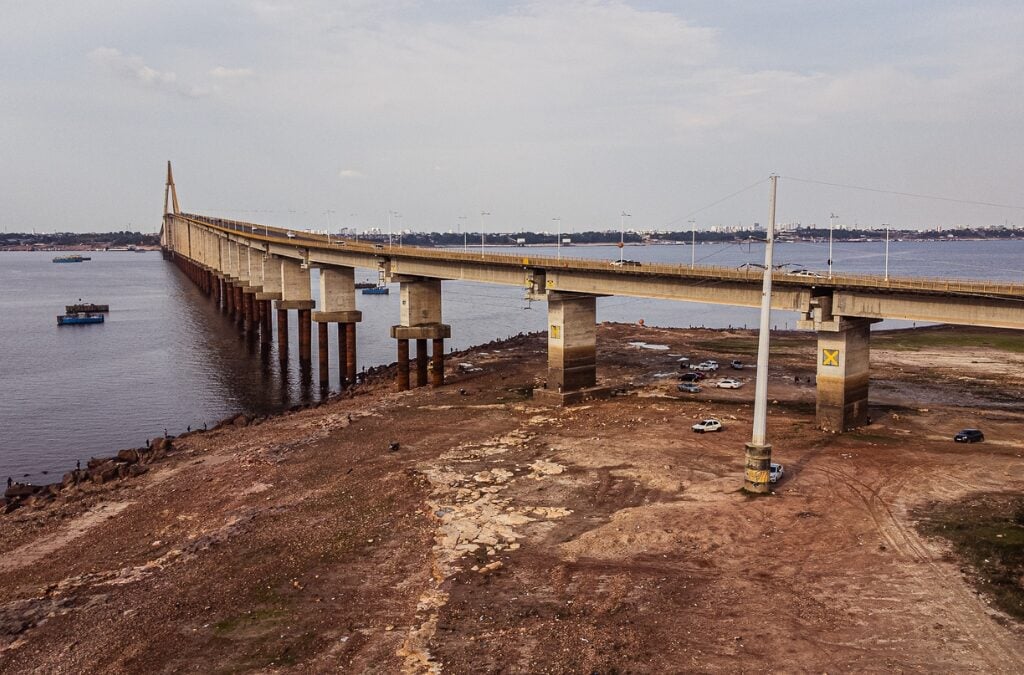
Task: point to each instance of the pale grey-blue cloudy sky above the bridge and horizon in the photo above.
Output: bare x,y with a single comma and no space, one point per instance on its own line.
334,113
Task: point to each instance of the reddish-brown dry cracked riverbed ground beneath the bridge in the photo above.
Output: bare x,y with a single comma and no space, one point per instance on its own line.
505,536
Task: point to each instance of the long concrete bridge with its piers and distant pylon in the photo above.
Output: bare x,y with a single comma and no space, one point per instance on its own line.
250,270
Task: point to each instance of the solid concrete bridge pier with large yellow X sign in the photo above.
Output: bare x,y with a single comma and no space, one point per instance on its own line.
843,366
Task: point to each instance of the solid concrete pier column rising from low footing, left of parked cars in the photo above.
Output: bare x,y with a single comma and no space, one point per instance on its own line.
572,342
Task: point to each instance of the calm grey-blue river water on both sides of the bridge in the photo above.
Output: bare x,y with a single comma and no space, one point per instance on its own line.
166,359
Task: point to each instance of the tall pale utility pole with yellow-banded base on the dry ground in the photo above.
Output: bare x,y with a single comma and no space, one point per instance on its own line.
758,451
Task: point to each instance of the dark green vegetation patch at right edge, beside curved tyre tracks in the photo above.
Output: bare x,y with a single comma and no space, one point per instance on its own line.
988,531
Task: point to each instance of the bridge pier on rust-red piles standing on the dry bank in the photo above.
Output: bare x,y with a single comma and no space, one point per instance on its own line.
421,321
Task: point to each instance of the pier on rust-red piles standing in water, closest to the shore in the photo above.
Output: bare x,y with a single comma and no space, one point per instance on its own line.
337,306
